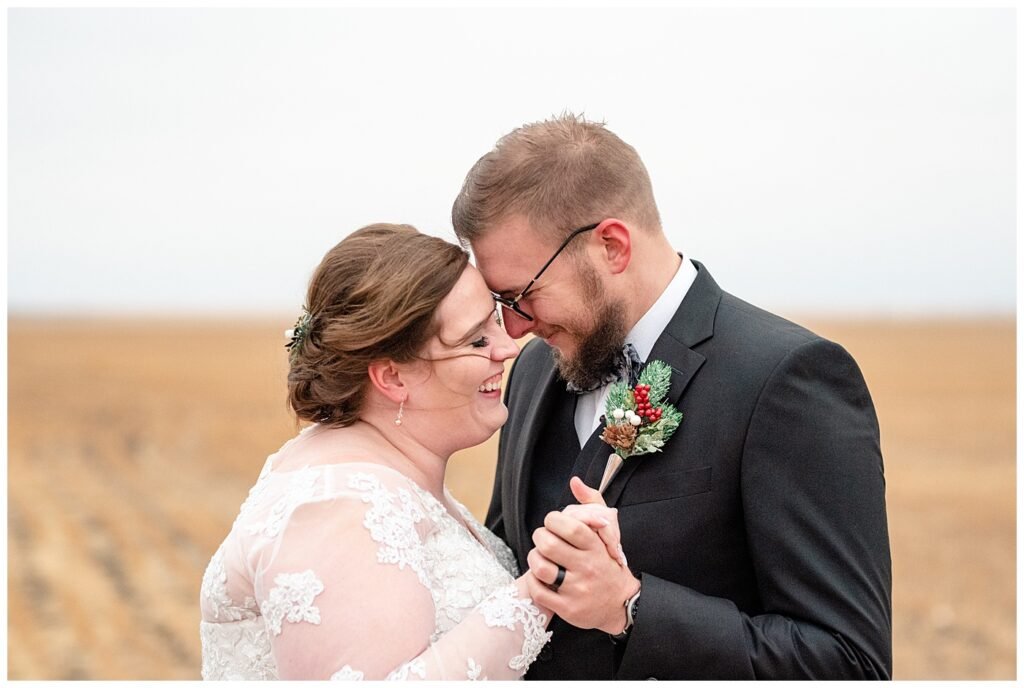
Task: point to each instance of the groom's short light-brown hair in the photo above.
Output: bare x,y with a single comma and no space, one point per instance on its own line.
561,175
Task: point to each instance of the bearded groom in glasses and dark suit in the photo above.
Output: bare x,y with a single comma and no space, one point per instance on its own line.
757,541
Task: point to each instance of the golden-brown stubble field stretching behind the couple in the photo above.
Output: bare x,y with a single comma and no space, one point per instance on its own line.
133,444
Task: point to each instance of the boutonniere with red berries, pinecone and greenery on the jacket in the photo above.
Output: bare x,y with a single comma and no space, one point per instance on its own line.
637,420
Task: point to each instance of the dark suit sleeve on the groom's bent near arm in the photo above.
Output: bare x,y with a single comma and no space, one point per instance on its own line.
814,498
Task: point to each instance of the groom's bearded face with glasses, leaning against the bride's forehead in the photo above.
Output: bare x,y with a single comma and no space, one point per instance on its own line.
570,307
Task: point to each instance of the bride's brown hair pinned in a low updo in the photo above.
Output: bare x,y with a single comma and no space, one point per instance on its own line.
374,296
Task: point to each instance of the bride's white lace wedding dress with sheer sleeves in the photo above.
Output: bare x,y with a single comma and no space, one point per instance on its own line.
354,572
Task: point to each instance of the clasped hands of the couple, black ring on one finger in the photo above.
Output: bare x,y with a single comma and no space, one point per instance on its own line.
586,541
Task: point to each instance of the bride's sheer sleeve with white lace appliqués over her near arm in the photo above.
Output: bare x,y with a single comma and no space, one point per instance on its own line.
350,591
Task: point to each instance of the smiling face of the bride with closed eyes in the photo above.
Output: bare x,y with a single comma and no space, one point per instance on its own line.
459,395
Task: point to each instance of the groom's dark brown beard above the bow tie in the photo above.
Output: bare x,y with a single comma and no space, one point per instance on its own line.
600,349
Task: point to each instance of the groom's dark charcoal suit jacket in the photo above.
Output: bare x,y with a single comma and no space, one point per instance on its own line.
759,533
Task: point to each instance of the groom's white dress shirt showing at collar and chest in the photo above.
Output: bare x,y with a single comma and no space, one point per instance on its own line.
644,336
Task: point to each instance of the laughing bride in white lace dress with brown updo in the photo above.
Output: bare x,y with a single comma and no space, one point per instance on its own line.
350,560
